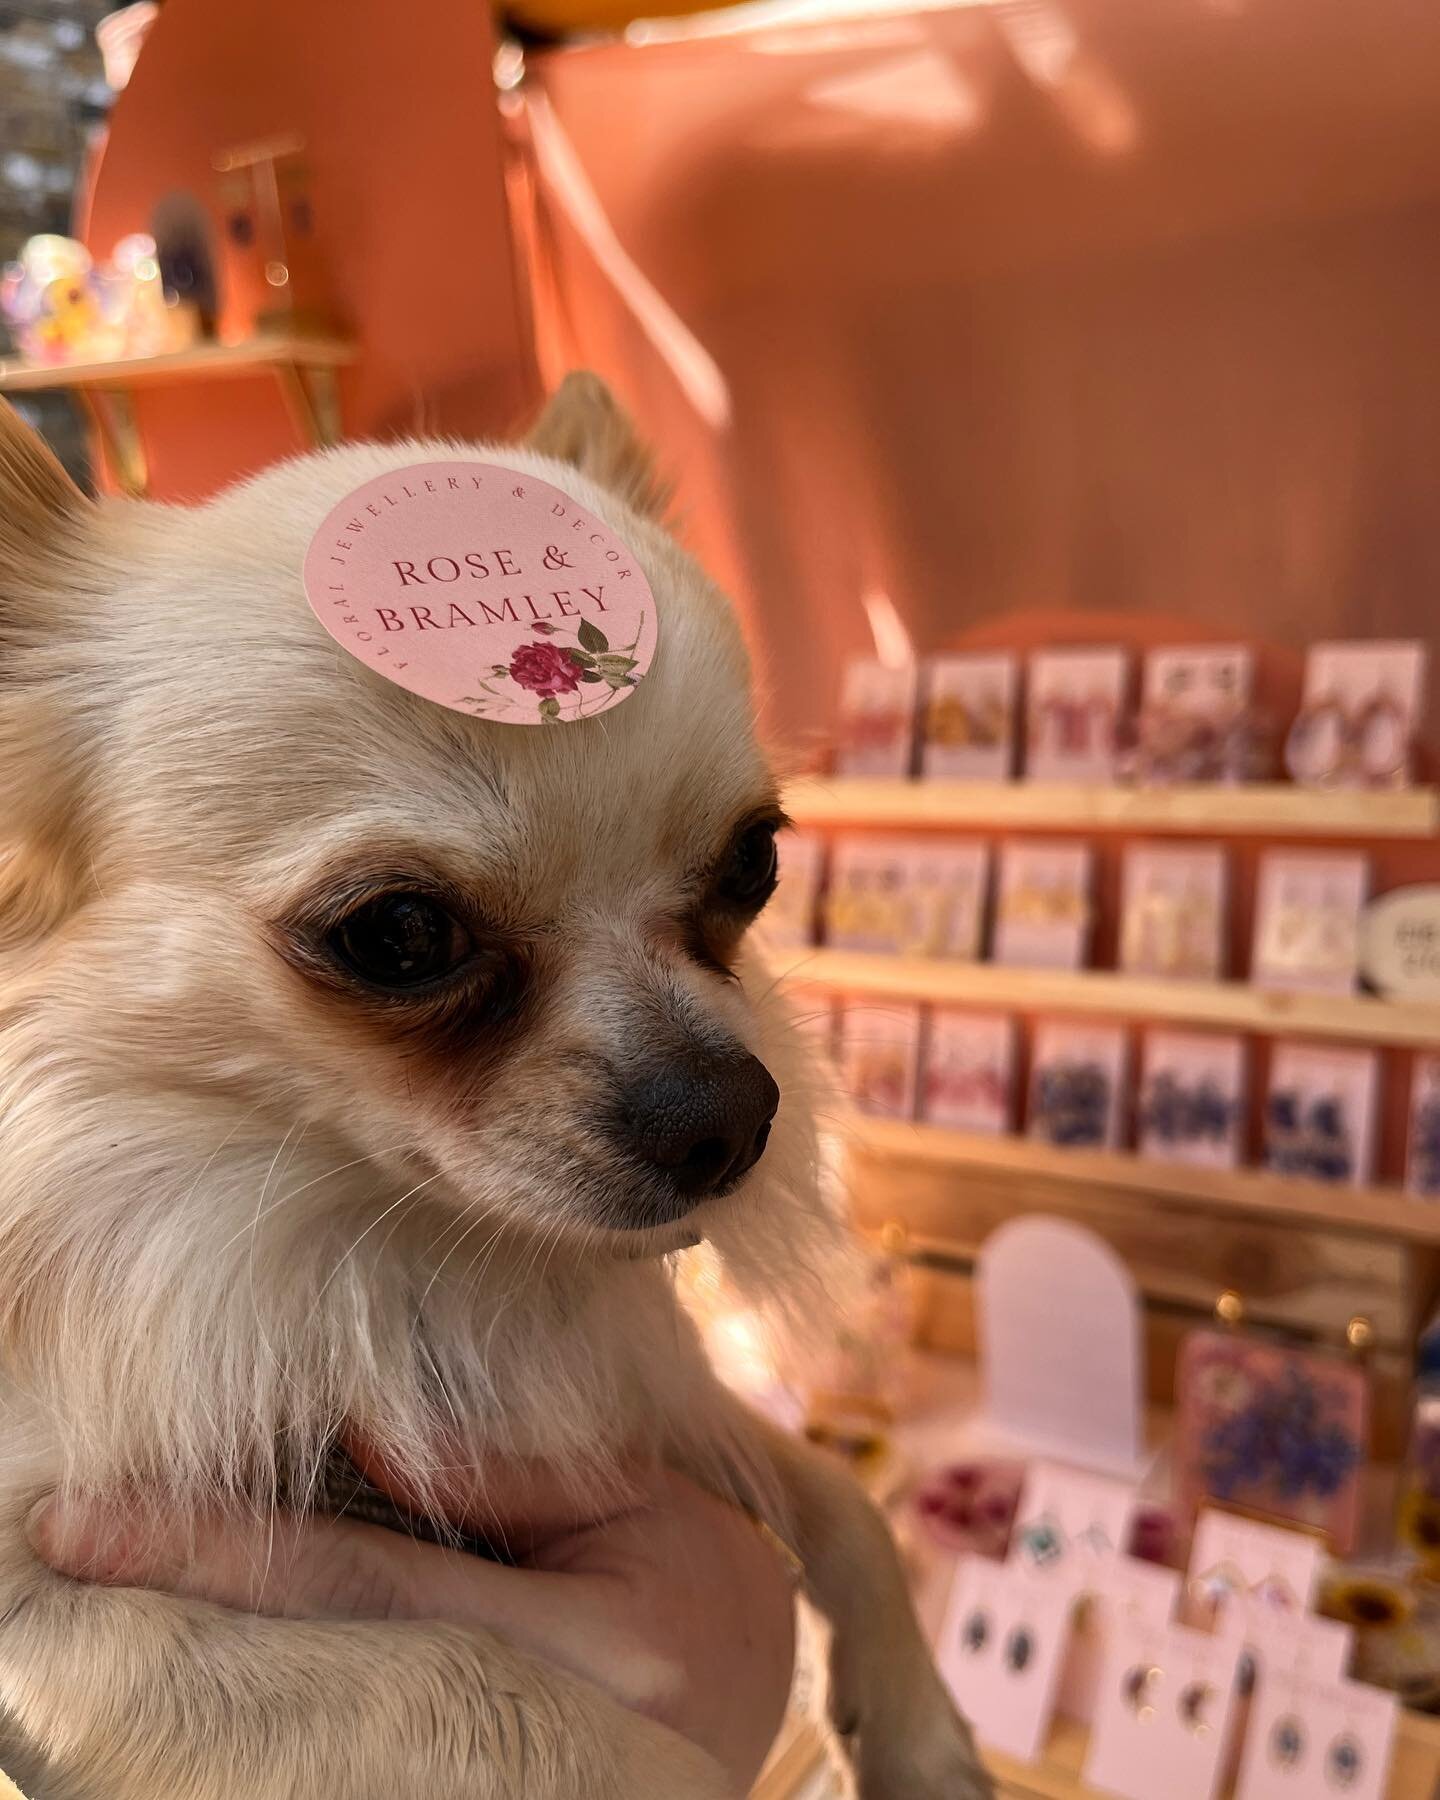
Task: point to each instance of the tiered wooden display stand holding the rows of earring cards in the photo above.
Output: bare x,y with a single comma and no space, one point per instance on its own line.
1306,1257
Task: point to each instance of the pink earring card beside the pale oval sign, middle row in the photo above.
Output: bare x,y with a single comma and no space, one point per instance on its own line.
1308,922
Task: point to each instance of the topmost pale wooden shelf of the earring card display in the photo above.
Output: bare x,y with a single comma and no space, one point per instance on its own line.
1261,809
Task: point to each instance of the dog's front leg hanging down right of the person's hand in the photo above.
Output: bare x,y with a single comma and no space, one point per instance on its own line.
886,1698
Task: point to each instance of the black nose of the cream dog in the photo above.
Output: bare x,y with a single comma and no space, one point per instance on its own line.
703,1122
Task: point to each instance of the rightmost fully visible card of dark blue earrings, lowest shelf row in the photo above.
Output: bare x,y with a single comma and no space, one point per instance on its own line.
1322,1113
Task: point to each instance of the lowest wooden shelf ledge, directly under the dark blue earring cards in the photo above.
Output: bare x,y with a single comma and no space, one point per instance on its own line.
1367,1212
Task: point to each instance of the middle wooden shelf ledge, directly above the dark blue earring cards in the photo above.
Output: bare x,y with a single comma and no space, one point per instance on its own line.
1230,1005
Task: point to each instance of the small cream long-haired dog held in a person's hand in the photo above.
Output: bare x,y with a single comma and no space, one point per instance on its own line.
361,1066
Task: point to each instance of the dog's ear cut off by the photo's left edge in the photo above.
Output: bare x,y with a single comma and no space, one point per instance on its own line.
40,512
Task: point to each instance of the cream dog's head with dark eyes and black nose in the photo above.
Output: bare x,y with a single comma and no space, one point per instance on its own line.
282,939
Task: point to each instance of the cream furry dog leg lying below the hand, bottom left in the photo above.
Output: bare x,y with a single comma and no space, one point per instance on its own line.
120,1695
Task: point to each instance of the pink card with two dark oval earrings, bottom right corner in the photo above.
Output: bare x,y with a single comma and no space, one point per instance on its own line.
1313,1738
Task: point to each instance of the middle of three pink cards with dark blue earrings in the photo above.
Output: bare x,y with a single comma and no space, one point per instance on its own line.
1192,1099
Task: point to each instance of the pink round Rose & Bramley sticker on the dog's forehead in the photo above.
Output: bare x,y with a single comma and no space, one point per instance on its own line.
483,589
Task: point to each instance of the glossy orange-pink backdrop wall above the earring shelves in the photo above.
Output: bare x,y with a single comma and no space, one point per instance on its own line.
1092,305
